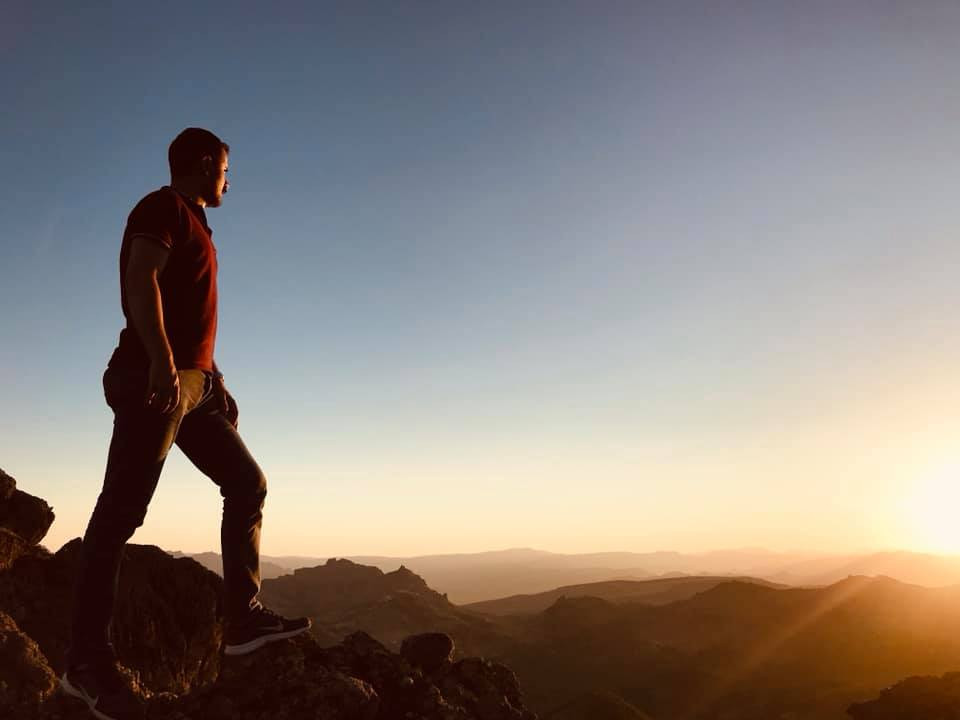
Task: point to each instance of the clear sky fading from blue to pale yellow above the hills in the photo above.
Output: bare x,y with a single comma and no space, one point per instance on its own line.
576,276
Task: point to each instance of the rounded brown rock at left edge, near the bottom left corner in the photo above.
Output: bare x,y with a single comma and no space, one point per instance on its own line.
26,679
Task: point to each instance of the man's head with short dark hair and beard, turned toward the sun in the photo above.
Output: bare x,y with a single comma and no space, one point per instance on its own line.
198,165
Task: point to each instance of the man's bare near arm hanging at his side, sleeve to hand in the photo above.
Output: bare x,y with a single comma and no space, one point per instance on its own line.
146,262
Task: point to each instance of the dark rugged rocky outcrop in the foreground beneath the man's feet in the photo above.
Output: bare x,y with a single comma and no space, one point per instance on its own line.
168,630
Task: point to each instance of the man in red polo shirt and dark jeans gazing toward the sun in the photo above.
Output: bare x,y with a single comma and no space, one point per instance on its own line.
164,387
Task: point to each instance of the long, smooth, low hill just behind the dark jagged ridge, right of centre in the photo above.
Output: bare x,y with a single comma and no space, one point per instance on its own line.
655,592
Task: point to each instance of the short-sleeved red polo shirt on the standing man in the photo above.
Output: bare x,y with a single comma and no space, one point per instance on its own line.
188,283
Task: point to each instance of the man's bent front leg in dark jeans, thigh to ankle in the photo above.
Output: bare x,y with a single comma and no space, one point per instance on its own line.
215,447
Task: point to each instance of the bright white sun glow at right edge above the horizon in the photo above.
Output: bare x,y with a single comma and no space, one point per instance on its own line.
933,510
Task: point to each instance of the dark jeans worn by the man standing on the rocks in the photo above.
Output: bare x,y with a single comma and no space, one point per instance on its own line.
142,437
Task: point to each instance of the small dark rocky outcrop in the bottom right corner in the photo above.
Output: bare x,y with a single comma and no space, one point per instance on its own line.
915,698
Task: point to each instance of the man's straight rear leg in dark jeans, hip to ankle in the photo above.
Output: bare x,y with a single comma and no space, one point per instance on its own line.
141,440
